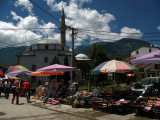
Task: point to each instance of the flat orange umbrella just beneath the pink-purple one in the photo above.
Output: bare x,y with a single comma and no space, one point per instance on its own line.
46,73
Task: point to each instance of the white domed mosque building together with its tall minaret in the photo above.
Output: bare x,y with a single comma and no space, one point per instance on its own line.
42,53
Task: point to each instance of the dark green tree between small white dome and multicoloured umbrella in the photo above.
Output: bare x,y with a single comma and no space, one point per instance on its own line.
98,55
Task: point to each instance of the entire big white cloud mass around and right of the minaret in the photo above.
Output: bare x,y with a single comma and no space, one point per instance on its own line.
90,19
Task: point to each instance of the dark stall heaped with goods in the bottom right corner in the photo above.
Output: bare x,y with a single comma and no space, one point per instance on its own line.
149,103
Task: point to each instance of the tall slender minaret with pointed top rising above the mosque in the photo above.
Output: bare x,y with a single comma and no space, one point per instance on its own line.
62,28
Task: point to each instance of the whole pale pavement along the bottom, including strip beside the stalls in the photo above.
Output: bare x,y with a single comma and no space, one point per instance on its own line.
38,111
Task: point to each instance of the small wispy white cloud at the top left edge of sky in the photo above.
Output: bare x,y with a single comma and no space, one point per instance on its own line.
26,4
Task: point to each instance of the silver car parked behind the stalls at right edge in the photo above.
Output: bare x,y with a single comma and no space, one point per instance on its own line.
145,83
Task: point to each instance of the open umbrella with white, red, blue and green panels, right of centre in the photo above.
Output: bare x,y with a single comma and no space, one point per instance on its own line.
113,66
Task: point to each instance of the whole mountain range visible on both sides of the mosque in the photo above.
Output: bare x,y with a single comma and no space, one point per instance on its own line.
122,48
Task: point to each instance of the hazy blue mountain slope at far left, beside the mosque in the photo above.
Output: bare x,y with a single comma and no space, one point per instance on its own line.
9,55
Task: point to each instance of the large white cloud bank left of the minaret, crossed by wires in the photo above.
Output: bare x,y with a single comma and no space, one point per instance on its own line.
11,37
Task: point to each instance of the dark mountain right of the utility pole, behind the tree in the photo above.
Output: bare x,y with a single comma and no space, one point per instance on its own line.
121,48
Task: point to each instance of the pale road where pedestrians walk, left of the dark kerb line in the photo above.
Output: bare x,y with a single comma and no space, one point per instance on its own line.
26,111
